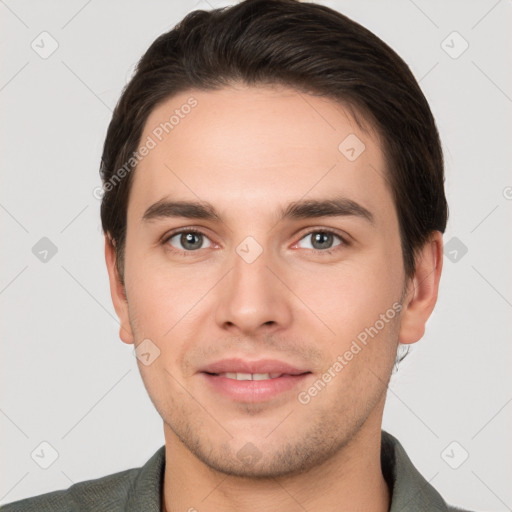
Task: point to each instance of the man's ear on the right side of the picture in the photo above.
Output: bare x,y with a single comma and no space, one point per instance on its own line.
422,289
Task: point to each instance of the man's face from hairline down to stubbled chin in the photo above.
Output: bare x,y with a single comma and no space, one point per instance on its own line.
262,246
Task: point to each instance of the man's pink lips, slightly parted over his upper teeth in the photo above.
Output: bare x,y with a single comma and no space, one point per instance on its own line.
252,391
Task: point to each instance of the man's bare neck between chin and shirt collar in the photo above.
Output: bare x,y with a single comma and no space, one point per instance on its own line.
350,479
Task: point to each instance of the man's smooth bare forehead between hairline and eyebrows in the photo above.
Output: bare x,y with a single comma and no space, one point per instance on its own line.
254,147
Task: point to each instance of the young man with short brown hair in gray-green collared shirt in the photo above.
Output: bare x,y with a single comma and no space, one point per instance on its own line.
273,213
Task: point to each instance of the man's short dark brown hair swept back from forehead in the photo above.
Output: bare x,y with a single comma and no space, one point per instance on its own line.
305,46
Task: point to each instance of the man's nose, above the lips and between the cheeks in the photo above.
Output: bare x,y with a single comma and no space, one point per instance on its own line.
253,298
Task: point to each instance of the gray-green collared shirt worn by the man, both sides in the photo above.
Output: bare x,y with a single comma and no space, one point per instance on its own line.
140,489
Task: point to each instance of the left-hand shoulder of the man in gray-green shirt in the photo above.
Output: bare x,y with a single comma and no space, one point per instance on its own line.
111,493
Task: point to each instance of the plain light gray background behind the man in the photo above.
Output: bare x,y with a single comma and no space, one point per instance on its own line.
67,379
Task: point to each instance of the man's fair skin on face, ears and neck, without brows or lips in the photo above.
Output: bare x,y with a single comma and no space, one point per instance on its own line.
250,151
